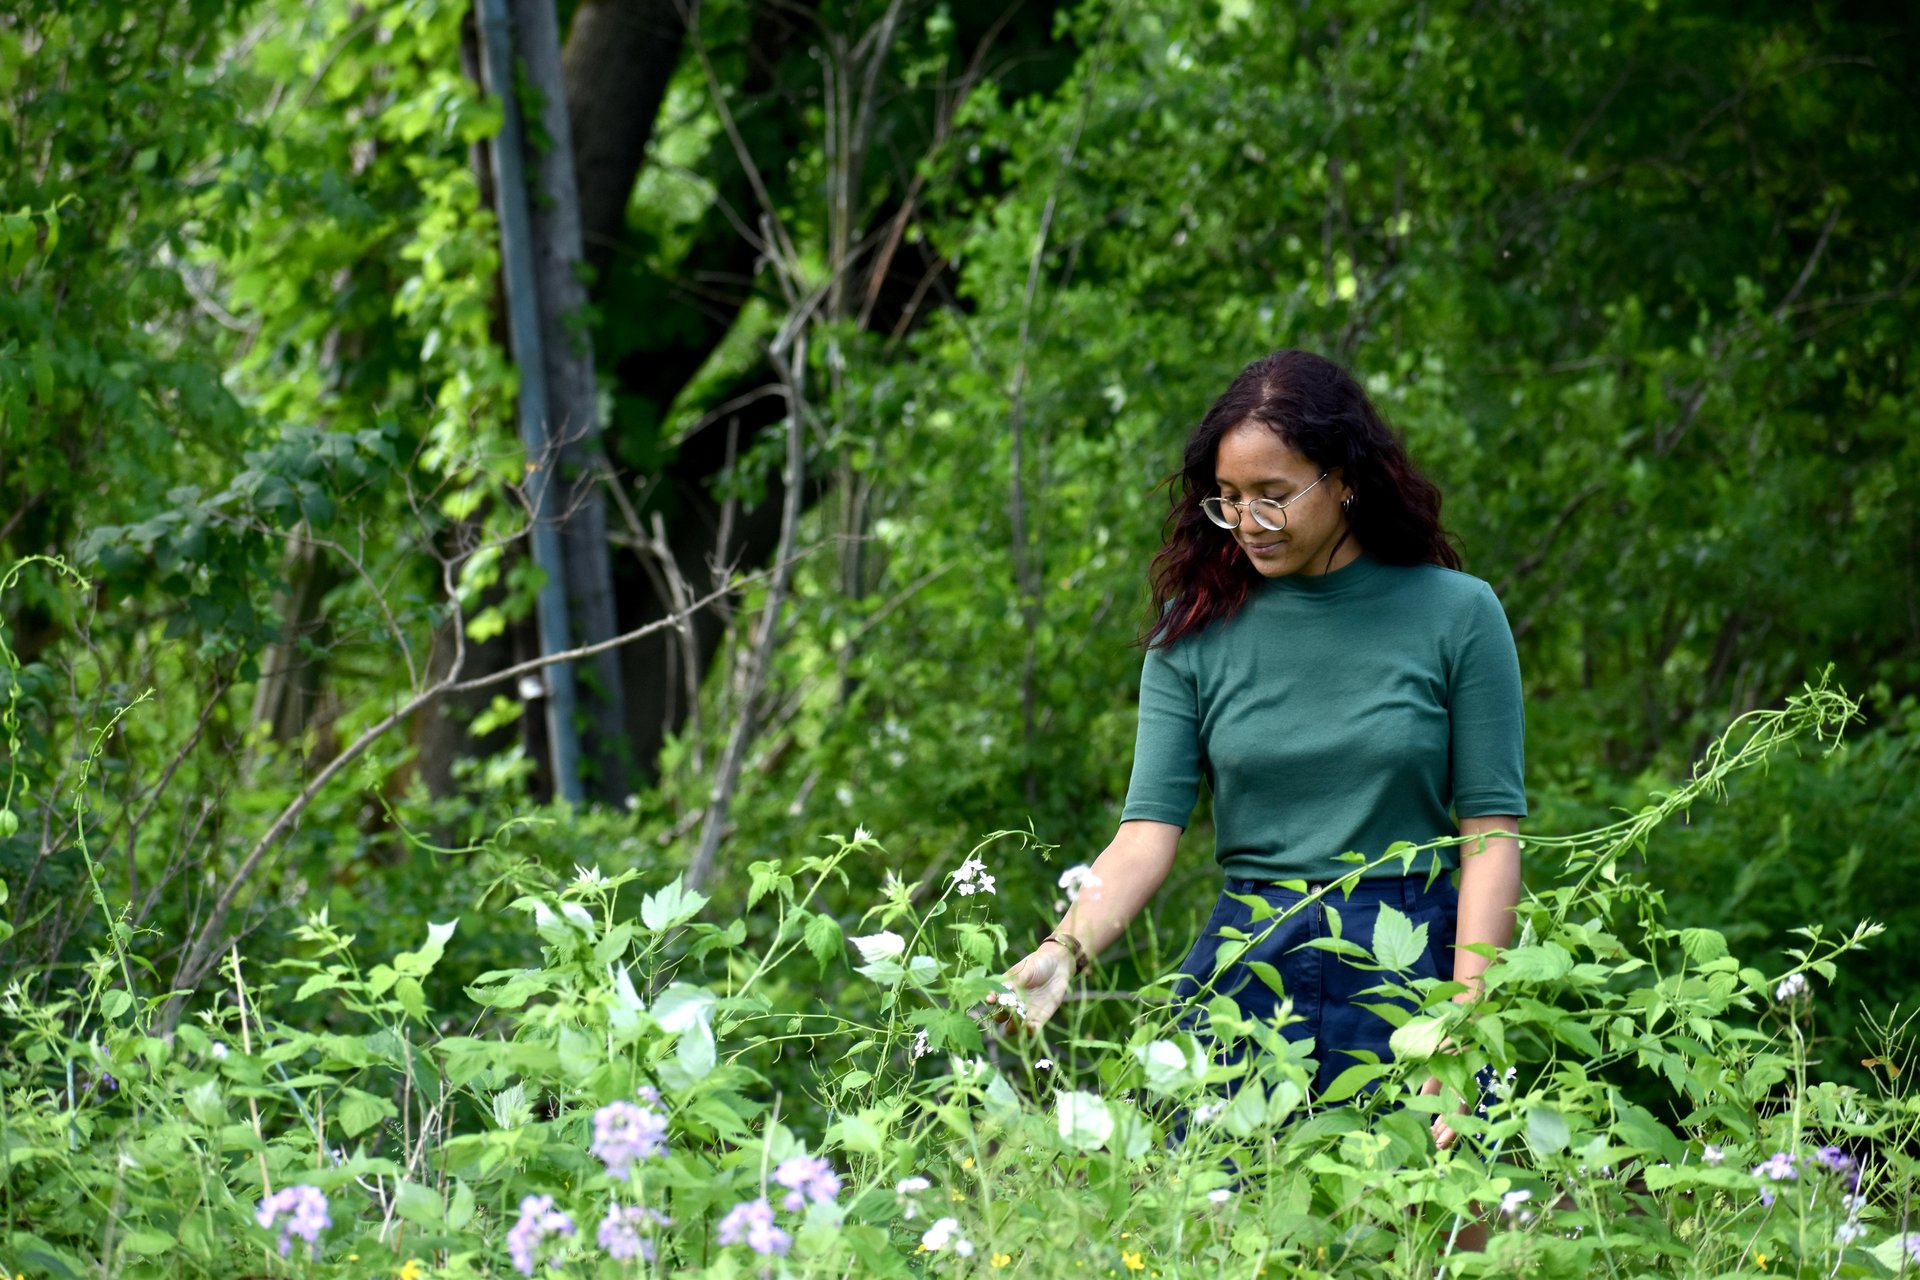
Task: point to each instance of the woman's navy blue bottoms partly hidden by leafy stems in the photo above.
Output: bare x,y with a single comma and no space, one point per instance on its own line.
1324,987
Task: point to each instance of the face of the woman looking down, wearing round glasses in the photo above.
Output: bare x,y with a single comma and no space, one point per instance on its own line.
1253,462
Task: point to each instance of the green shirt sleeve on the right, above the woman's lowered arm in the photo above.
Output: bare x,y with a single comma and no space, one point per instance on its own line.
1489,719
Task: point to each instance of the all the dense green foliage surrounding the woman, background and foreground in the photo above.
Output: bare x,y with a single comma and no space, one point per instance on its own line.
1637,283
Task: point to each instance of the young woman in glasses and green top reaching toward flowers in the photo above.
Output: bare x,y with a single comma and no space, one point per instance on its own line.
1324,665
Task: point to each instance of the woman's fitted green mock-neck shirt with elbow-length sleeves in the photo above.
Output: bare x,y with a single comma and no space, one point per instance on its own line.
1332,715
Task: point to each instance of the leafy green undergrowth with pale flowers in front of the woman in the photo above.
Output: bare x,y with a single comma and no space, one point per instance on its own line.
654,1095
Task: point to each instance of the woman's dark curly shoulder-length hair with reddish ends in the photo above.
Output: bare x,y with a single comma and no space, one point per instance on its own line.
1322,412
